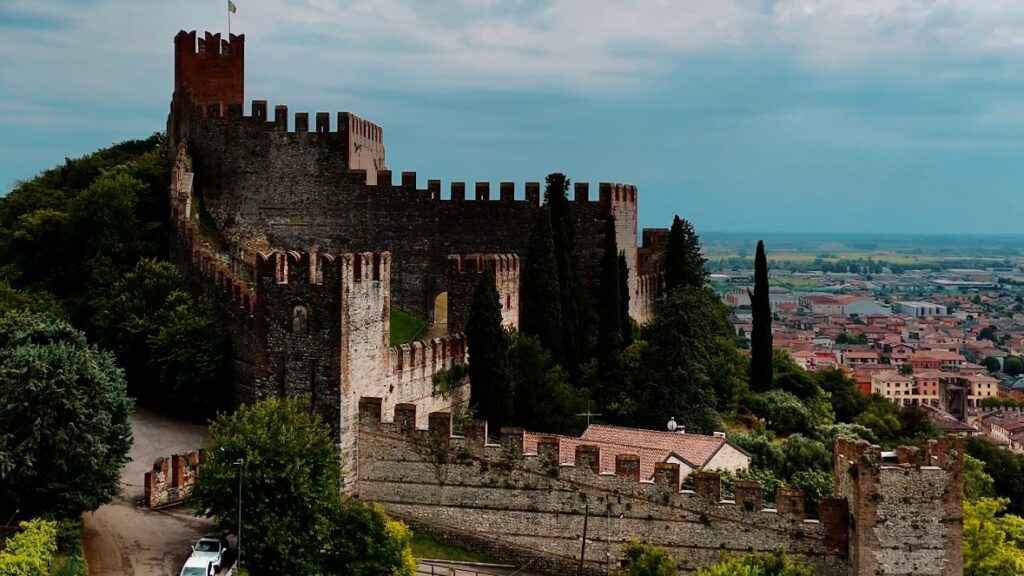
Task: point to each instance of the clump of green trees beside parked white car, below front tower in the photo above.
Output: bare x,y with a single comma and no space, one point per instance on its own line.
293,519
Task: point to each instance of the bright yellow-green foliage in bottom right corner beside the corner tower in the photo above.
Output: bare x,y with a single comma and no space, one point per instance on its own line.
992,542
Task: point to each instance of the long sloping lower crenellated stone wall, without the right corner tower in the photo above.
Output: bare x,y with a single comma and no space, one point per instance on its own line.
494,499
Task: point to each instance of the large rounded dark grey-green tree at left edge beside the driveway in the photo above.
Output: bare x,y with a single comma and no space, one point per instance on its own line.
65,429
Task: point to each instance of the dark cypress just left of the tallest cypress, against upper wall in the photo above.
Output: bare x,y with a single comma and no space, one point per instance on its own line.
542,308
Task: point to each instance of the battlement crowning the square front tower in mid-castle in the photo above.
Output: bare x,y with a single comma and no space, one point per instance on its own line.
313,268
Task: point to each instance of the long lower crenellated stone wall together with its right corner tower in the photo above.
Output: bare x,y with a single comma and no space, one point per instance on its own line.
527,508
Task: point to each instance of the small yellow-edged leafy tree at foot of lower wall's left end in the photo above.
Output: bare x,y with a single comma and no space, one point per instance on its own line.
364,542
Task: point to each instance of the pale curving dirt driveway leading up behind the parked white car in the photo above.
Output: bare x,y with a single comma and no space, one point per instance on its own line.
123,540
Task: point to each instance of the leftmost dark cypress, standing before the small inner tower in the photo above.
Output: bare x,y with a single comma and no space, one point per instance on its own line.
490,391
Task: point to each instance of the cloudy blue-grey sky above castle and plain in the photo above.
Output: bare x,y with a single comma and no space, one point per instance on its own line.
839,116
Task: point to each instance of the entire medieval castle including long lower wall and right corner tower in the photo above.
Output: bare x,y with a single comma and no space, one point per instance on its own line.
304,242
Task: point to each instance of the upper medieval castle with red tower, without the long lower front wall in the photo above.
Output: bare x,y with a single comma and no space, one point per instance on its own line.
305,242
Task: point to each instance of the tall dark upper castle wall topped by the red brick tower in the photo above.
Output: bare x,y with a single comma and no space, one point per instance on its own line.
278,183
